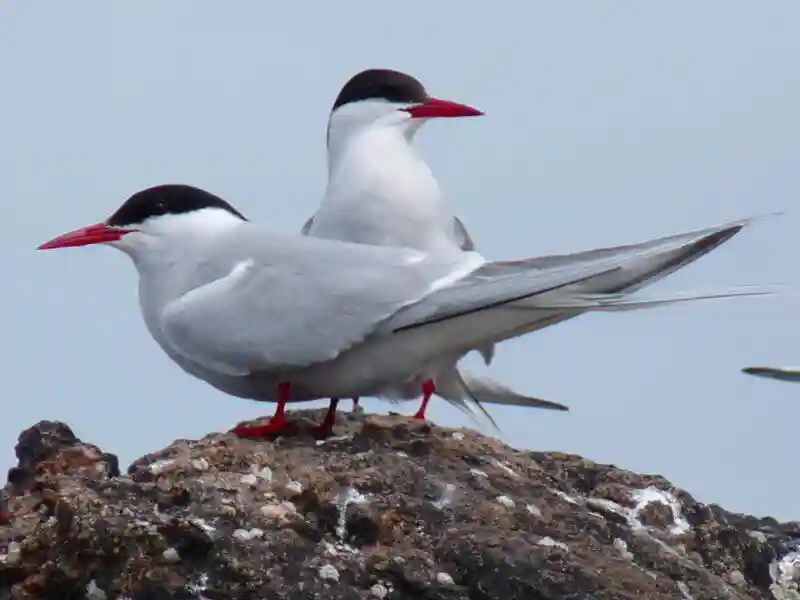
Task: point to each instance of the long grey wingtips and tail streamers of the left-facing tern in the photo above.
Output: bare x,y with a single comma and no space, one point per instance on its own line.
576,282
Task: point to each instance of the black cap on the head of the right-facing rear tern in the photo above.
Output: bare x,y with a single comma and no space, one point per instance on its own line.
381,84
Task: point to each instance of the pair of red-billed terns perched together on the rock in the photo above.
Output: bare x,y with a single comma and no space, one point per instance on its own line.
382,294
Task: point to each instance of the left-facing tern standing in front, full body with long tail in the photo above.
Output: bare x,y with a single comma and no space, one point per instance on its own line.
287,318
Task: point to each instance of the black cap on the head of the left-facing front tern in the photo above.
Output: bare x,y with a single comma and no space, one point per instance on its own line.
166,199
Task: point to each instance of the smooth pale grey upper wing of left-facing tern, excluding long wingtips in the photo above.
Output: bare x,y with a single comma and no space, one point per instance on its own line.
302,310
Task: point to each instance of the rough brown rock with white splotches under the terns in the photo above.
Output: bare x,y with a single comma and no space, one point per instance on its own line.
390,508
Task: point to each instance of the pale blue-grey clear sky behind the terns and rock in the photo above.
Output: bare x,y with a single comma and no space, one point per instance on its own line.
606,123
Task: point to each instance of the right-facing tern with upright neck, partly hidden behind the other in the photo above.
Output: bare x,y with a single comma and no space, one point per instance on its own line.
381,192
